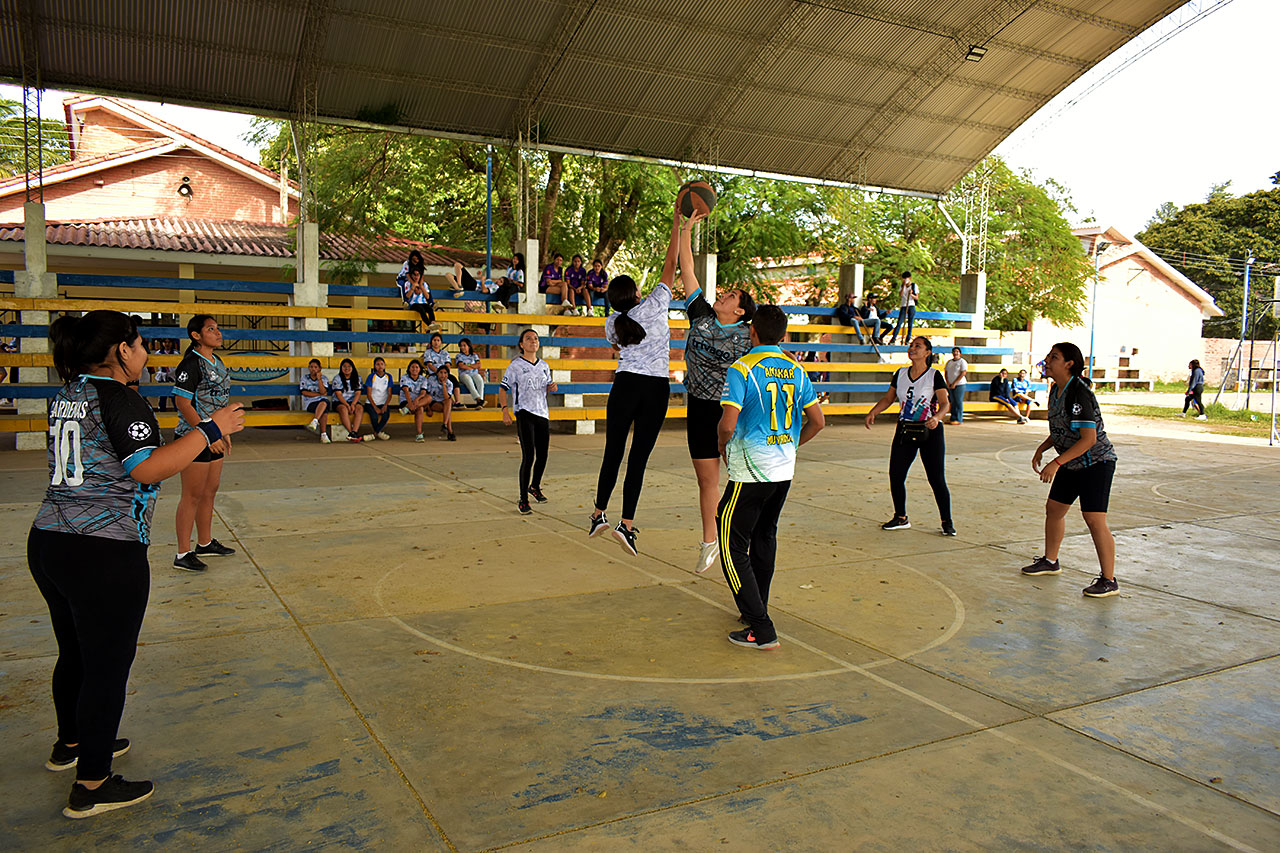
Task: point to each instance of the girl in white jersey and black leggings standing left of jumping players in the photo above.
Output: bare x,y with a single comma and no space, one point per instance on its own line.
523,396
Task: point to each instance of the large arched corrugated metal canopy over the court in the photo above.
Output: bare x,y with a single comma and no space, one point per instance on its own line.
872,93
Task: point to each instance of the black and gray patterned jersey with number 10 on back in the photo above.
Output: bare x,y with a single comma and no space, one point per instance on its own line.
99,432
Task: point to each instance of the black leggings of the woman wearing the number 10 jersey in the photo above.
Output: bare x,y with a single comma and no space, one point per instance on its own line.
97,590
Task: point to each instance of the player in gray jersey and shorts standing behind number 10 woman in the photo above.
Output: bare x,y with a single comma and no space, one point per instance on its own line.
202,387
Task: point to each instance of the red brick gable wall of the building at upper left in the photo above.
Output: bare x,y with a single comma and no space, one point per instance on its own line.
150,189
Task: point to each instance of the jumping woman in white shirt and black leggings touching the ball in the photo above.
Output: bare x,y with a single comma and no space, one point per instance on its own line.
642,386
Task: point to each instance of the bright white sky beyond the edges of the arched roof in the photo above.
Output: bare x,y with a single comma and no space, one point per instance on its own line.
1197,111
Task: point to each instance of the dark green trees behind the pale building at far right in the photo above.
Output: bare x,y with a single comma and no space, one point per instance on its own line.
1209,244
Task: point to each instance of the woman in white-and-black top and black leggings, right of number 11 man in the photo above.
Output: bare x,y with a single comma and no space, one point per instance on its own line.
922,395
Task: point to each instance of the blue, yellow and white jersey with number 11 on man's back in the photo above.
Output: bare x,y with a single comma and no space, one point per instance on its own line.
771,391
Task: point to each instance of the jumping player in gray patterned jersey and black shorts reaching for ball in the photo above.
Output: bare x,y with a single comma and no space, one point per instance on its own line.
719,336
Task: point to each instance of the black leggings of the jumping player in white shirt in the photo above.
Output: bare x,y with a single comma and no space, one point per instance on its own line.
638,400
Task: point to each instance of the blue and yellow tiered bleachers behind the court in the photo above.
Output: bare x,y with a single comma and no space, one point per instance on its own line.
260,312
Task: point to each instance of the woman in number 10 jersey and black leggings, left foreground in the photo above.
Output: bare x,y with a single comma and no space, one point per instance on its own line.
88,549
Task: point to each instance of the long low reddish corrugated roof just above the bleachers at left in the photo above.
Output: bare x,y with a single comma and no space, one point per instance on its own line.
257,240
